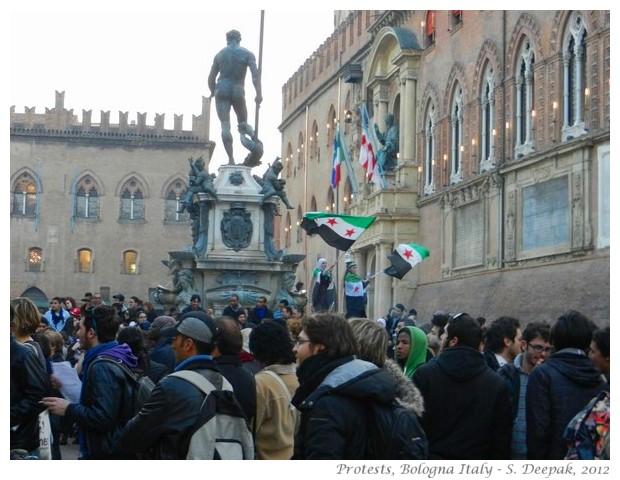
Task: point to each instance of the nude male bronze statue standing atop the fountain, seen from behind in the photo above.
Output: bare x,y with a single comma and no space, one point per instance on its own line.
227,81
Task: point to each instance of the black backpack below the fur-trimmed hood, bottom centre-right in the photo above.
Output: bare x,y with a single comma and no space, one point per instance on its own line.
395,433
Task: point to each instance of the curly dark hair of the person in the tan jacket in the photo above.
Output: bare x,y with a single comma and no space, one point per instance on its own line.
271,343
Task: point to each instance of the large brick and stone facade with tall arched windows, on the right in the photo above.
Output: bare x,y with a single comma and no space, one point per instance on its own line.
504,157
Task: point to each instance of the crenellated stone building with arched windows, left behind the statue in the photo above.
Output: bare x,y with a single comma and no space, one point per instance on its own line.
94,206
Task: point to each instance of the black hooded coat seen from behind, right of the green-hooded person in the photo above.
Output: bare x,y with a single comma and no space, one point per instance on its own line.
468,411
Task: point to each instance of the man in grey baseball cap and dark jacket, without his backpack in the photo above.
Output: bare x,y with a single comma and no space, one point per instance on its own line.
164,426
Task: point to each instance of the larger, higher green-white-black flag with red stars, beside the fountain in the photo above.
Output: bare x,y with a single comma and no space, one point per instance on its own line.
338,231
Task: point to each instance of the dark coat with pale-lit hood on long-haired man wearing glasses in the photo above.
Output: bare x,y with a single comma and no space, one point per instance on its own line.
332,399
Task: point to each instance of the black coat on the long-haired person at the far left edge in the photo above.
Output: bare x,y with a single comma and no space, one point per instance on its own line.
29,384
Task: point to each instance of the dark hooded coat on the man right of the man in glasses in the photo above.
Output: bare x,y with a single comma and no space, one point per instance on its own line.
556,391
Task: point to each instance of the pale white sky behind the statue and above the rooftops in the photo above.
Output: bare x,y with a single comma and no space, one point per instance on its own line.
155,60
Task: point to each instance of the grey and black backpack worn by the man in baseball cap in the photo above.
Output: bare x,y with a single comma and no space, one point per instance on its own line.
221,431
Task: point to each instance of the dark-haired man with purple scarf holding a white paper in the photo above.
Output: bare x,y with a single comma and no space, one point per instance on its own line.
107,395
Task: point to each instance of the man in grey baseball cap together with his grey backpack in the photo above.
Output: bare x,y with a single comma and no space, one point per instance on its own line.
188,410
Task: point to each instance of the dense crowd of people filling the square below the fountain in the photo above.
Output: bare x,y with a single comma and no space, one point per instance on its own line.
304,381
